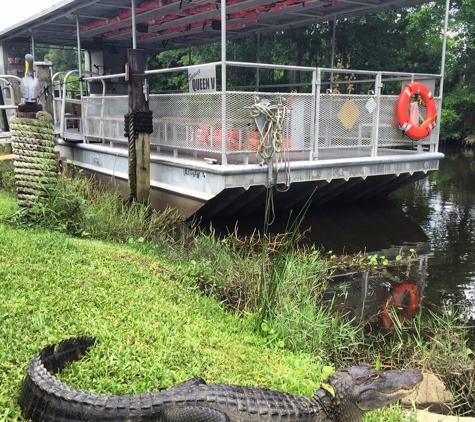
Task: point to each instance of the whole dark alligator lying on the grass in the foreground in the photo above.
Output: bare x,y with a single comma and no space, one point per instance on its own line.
346,395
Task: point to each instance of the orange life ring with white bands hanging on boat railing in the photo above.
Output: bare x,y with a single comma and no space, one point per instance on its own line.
413,131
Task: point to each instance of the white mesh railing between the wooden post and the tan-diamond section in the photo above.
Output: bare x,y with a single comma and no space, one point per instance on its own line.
193,121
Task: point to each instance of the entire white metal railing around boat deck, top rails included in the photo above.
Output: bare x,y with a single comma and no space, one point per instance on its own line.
342,110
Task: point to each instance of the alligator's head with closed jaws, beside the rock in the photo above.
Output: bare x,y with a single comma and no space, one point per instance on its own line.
359,389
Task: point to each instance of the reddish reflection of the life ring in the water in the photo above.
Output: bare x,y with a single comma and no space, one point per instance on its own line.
397,301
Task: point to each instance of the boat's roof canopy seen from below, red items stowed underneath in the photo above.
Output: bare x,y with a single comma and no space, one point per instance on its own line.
168,24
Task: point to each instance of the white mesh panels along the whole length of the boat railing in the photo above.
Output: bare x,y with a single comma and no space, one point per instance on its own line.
193,121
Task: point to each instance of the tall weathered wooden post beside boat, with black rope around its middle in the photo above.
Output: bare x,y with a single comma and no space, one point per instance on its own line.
137,60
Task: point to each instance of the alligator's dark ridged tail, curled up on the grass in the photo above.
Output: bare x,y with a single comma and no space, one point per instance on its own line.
44,398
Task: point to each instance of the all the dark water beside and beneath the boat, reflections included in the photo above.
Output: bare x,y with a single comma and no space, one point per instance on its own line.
436,216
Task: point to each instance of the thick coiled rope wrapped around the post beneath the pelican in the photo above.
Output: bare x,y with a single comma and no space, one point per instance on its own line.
34,158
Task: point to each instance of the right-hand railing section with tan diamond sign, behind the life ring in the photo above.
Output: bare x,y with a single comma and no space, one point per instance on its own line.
353,112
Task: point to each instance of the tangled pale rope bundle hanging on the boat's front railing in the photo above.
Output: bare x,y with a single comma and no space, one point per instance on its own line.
276,114
